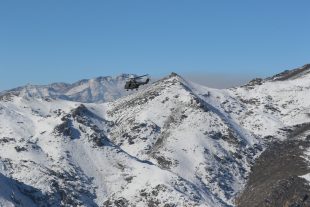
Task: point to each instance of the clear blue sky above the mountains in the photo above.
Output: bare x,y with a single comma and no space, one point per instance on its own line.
67,40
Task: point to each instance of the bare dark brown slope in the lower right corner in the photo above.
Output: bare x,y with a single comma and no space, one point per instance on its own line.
275,178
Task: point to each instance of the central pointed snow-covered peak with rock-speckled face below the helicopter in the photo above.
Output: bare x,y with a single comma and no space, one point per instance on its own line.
179,130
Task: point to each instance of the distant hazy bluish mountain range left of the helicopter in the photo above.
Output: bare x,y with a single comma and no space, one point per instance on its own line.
99,89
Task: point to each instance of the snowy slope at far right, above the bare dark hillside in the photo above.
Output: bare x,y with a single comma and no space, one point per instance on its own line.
273,106
